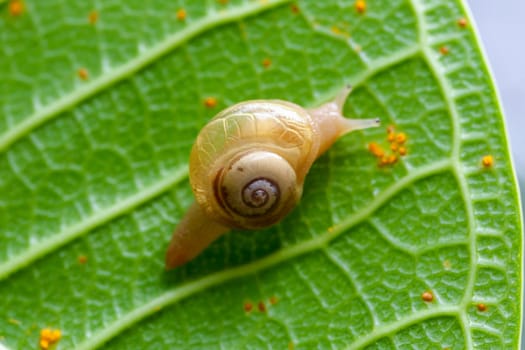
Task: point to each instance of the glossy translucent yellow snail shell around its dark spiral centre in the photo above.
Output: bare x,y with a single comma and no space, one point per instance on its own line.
248,128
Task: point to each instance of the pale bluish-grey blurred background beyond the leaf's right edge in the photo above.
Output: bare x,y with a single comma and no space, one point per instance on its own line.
501,28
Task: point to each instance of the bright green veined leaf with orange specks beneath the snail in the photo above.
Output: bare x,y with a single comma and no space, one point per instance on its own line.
93,165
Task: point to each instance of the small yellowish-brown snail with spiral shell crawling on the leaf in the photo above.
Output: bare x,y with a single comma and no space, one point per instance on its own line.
248,165
